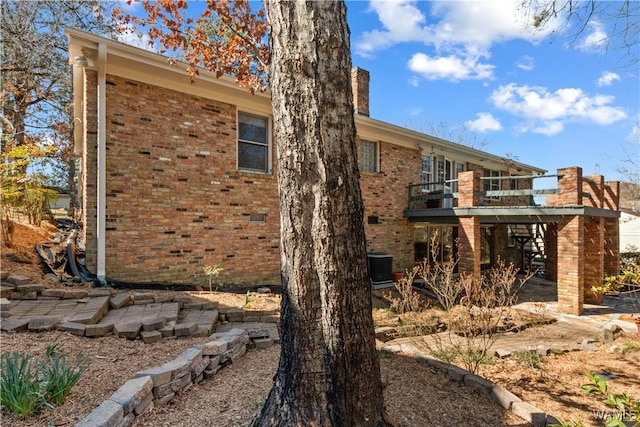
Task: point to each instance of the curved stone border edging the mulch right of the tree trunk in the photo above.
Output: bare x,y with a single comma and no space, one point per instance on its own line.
504,397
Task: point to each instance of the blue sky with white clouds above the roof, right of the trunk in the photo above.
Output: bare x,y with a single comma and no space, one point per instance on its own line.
551,100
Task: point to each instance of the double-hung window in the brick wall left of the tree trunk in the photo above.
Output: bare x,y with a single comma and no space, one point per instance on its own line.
253,143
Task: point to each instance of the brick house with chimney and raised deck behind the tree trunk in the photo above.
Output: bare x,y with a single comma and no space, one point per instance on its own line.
177,175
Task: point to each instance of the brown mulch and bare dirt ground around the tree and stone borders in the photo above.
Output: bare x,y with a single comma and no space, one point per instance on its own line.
416,395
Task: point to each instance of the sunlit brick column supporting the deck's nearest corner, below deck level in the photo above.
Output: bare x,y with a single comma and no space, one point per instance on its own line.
571,264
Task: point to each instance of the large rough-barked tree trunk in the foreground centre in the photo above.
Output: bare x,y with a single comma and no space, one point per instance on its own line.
329,373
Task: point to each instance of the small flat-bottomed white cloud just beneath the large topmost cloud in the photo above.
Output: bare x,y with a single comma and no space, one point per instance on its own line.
451,67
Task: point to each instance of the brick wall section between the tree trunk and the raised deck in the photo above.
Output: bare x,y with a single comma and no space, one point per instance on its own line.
385,196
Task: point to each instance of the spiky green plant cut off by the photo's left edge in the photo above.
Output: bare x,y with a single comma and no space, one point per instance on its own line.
20,387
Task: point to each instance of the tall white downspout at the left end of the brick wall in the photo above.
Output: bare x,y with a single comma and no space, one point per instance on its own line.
102,162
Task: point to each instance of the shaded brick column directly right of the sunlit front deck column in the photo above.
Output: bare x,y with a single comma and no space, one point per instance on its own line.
593,255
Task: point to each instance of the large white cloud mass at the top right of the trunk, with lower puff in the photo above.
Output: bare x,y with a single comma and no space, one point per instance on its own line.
460,32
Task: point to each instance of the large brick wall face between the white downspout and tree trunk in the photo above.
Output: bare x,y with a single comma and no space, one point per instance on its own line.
175,201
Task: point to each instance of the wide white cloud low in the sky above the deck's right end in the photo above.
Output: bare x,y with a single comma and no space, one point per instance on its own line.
547,112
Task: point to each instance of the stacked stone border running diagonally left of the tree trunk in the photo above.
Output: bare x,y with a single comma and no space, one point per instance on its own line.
157,386
